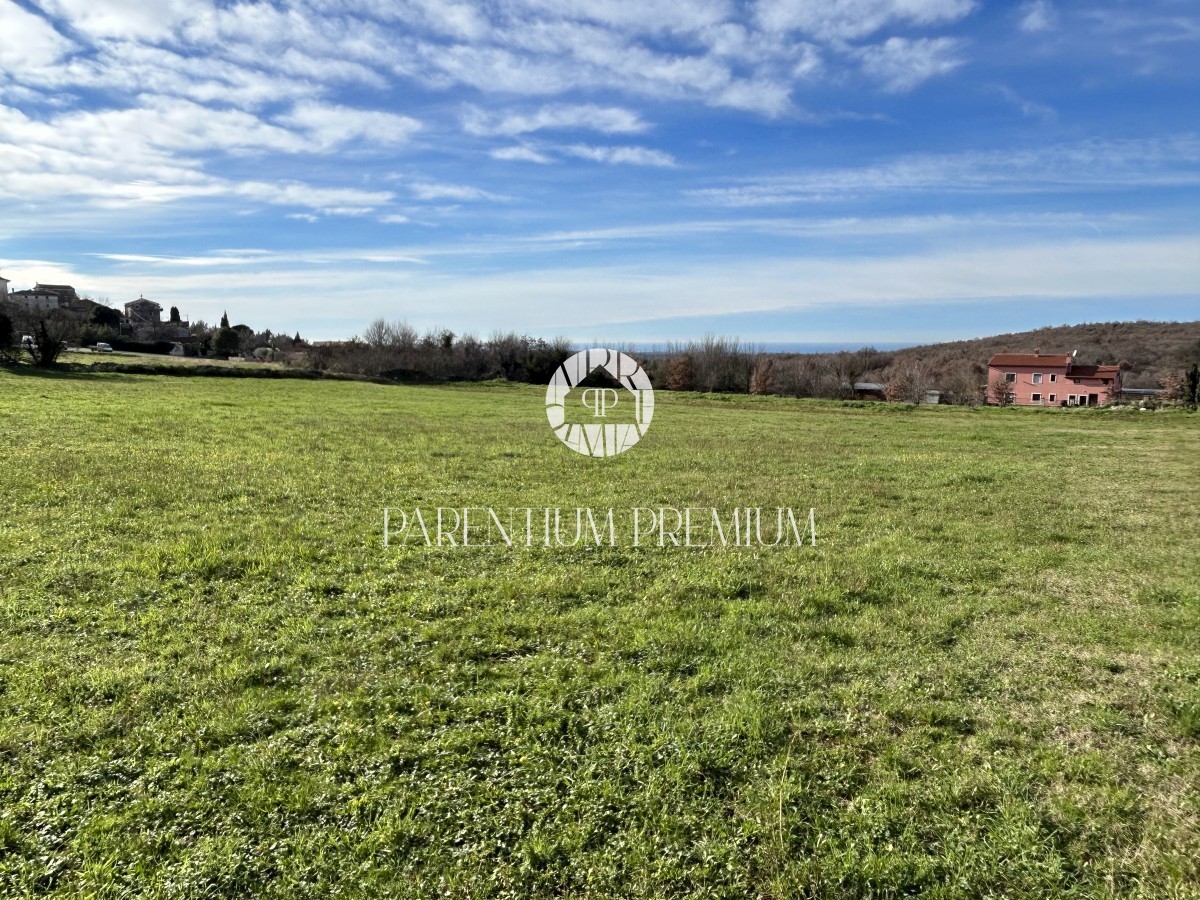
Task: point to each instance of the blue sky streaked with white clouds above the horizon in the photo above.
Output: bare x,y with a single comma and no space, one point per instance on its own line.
808,171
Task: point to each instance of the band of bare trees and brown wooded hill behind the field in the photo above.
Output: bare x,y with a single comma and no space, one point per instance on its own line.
713,364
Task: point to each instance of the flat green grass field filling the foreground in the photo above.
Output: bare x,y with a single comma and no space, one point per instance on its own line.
217,682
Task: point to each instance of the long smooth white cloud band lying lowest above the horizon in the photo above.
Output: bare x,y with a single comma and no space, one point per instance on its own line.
1132,269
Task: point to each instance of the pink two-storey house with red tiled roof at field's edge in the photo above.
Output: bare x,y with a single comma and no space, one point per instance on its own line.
1039,380
